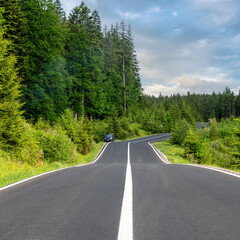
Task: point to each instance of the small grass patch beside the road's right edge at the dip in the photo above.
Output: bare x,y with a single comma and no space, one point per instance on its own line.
174,153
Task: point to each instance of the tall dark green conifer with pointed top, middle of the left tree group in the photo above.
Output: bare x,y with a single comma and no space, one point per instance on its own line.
85,62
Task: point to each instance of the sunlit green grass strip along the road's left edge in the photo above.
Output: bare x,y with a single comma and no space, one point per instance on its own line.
13,171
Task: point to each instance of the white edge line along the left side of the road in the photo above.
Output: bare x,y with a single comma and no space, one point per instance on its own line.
42,174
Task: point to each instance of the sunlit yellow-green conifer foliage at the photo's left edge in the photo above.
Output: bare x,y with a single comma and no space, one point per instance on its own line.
15,135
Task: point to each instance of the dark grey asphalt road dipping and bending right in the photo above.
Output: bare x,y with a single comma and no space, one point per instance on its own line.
85,203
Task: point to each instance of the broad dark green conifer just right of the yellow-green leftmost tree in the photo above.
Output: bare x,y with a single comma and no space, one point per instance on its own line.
45,41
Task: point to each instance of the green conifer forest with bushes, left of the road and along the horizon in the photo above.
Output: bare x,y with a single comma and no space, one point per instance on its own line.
66,81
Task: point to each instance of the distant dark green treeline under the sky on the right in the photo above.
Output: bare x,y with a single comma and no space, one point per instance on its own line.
202,106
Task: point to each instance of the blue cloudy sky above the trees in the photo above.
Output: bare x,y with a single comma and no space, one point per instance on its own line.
181,45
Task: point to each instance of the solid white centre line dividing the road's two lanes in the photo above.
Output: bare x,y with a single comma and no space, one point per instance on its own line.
125,231
